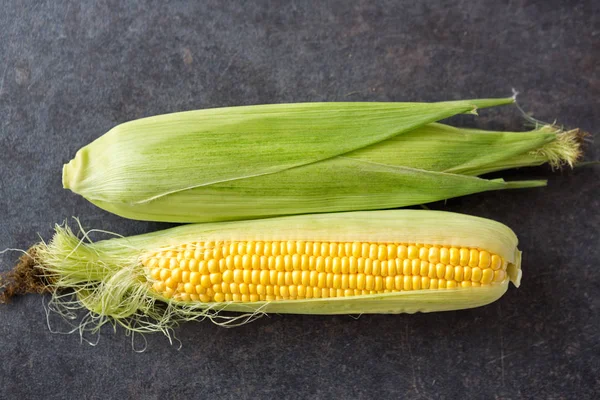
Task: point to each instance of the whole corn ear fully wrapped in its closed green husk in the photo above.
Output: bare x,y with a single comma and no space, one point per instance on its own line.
257,161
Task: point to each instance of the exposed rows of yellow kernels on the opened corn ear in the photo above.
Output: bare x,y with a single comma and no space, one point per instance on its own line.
248,271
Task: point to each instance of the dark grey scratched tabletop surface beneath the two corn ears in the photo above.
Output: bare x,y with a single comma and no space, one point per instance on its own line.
69,71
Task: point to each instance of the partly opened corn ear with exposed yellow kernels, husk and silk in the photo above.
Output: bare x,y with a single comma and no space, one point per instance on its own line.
399,261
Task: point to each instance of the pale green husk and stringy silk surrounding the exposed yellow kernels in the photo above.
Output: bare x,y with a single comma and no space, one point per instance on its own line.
109,281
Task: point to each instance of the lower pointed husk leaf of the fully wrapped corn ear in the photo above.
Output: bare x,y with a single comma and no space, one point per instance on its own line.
332,185
